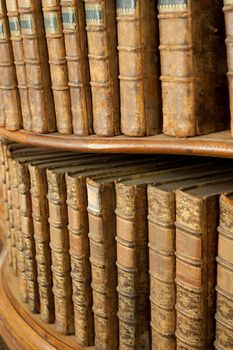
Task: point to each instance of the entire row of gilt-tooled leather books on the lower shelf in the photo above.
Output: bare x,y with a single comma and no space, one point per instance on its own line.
116,248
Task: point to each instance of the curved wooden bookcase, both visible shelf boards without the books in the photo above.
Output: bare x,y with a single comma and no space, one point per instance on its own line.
22,330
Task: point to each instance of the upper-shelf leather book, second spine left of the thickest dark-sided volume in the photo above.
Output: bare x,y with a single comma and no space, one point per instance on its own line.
103,59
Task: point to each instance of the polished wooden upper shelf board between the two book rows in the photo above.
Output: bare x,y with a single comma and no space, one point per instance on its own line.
218,144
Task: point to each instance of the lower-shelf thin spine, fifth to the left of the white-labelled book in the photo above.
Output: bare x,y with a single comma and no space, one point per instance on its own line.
19,244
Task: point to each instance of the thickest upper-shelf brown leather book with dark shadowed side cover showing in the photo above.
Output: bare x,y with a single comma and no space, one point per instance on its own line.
194,87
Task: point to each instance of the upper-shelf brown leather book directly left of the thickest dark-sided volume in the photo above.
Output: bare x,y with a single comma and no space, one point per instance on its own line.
141,110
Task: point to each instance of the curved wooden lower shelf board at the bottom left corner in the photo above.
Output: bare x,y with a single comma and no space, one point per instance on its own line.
19,328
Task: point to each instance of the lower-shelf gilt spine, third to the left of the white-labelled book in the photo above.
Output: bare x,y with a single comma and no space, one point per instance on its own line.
42,239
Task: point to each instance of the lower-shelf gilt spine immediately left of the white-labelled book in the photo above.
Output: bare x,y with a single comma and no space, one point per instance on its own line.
80,264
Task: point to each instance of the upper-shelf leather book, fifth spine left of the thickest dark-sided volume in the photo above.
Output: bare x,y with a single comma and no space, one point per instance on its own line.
58,65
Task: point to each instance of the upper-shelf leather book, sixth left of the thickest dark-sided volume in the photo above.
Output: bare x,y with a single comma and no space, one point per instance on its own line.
37,66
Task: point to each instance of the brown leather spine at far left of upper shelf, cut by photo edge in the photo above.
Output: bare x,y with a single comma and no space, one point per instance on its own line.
8,81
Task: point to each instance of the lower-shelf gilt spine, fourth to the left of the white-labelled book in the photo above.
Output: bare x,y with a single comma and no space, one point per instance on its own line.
28,237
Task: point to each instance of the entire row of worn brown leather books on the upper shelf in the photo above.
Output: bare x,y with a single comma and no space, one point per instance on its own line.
93,66
